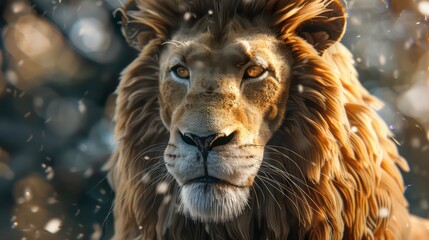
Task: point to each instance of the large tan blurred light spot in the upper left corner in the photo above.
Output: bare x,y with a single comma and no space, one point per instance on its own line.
36,49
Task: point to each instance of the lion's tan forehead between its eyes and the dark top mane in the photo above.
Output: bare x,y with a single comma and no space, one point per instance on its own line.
202,53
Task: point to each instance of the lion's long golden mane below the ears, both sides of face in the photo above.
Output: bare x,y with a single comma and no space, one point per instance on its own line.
349,176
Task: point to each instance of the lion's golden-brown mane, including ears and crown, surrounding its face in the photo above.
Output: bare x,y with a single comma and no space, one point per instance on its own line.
343,180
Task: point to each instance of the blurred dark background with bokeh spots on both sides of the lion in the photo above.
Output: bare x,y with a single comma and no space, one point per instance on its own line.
60,62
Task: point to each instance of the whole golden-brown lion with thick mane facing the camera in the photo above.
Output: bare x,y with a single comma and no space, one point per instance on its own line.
245,119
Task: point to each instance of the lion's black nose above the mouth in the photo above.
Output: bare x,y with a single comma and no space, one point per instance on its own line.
207,143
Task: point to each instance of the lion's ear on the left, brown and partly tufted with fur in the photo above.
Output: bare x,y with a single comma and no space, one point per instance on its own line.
144,21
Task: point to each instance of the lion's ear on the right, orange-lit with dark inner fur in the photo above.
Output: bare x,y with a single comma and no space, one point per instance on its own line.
326,28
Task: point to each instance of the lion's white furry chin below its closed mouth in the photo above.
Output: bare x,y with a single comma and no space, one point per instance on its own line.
213,202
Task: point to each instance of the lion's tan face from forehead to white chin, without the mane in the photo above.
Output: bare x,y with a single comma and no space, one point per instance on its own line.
232,117
